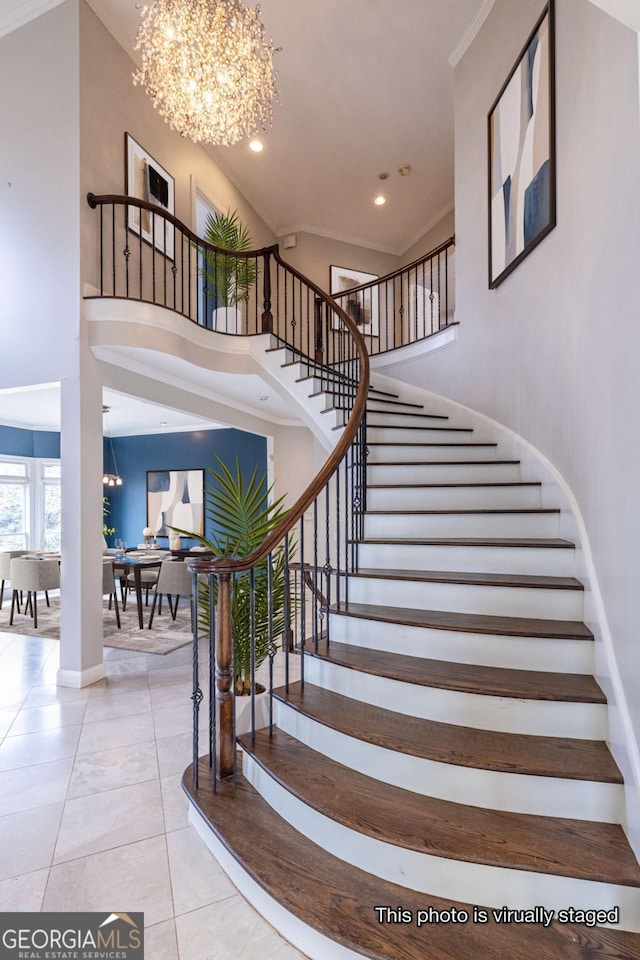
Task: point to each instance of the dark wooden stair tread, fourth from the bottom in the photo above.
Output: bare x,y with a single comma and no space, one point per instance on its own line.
462,677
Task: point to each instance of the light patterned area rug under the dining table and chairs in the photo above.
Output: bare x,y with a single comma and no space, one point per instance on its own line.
165,635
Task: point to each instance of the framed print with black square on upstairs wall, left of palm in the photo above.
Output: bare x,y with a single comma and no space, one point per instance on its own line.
147,180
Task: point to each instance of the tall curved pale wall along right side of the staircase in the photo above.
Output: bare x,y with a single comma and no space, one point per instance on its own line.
553,352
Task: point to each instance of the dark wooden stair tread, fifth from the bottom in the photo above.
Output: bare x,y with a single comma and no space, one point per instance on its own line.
468,622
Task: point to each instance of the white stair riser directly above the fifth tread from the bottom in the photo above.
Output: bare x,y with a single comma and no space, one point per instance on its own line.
468,598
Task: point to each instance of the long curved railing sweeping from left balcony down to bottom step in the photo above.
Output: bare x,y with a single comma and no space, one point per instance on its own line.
278,595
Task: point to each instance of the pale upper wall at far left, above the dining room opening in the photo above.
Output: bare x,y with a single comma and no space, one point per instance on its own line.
39,202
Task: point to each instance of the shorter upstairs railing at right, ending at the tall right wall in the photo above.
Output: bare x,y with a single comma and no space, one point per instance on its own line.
405,306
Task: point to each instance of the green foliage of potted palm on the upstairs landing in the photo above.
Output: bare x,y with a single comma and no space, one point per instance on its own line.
227,278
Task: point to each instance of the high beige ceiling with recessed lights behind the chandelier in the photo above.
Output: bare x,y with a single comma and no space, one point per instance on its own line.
364,87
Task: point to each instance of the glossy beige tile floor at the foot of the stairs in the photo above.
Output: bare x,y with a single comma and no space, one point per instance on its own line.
92,815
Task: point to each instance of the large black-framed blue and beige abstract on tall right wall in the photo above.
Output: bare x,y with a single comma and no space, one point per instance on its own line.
522,175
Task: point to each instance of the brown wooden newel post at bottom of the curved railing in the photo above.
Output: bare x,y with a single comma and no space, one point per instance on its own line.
225,746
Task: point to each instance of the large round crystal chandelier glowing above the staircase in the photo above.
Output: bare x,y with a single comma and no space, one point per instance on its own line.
207,68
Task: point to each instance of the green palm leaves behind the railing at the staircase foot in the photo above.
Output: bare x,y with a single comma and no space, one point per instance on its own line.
241,517
